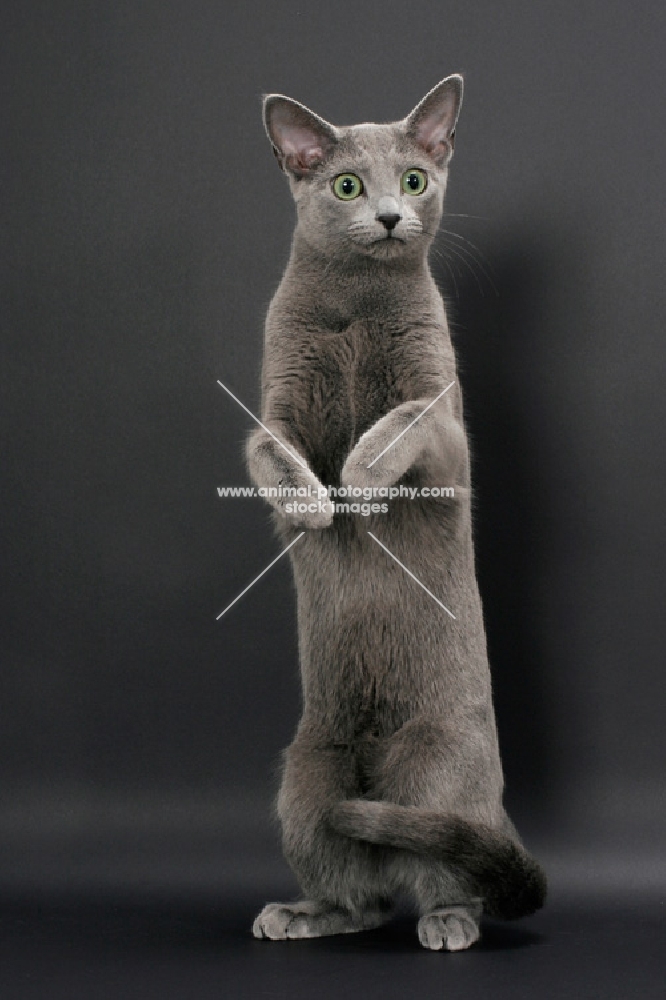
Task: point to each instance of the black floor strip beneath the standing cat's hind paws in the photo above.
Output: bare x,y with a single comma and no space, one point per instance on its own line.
84,950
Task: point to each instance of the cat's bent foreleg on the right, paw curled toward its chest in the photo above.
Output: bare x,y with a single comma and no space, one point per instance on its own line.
412,434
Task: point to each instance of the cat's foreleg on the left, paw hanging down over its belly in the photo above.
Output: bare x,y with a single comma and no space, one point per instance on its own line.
278,467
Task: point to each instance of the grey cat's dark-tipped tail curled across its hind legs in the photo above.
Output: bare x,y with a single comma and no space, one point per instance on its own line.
511,882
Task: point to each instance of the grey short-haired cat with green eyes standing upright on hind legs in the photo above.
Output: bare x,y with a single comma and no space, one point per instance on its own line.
393,783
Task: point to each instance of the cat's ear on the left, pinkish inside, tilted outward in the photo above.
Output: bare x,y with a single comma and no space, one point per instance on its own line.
301,139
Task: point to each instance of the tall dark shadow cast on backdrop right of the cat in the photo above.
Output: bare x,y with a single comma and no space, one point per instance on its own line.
493,307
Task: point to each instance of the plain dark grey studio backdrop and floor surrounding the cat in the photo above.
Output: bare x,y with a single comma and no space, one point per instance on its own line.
144,227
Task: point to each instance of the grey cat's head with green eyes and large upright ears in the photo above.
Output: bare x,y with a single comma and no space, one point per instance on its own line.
375,190
